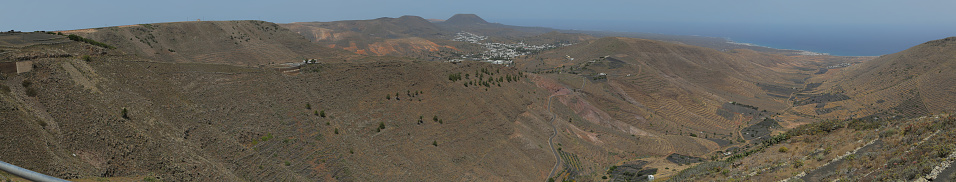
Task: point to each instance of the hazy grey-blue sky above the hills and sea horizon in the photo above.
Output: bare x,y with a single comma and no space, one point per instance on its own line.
659,16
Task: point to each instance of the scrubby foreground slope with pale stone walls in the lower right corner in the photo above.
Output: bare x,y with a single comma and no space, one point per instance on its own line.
915,149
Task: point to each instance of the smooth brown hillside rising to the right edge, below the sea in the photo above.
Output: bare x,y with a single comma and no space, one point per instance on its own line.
914,82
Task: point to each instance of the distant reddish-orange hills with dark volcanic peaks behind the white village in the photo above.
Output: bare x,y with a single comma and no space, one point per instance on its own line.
413,36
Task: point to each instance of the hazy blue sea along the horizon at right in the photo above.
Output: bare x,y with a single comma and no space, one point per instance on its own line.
835,39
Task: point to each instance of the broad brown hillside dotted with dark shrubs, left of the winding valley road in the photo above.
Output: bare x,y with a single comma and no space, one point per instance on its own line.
123,115
